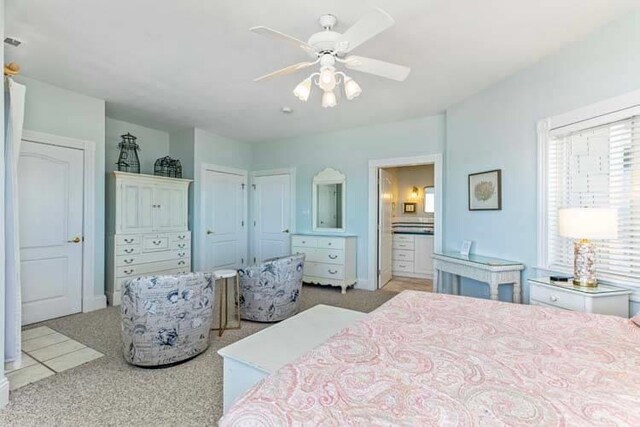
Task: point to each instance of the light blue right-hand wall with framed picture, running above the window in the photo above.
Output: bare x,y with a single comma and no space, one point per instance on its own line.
497,129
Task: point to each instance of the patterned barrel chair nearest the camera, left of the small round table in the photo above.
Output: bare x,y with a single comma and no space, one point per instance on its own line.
166,319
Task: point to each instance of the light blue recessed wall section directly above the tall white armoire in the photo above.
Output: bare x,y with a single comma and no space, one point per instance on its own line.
153,144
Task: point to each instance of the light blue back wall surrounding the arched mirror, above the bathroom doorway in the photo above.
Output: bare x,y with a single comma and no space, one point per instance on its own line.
349,151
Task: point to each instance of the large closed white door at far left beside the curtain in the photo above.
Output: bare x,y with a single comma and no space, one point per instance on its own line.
50,180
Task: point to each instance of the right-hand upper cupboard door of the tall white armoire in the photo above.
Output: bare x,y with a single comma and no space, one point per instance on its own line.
170,213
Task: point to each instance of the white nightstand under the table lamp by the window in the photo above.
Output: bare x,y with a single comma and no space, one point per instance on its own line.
603,299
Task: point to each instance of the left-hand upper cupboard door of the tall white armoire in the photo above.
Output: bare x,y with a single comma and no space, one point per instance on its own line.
136,207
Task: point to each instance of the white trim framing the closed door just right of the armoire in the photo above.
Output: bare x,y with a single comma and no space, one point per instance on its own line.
199,221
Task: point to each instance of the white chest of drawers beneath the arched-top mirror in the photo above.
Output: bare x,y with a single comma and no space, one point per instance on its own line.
329,260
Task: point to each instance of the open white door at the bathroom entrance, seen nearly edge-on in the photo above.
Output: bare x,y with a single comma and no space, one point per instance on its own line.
385,234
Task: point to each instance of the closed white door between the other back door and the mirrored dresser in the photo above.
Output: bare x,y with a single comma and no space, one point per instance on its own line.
272,215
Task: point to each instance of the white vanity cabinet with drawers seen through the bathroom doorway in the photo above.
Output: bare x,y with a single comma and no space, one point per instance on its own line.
413,255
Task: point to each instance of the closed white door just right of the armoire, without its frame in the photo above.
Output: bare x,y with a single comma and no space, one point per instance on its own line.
224,221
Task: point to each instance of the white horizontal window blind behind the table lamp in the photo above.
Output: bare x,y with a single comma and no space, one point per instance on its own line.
597,167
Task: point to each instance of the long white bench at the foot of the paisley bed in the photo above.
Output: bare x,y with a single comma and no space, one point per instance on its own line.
253,358
